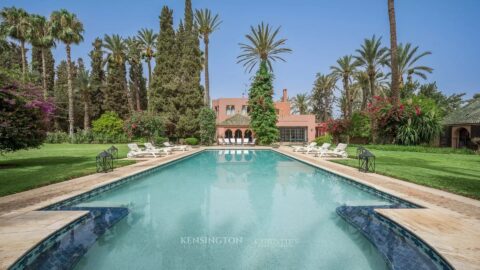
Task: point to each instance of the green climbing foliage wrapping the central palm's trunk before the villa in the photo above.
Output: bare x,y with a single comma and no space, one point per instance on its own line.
263,119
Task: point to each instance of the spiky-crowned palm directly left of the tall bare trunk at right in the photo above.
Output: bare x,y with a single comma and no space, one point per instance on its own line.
371,57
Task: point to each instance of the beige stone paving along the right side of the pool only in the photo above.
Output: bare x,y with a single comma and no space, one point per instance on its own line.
449,223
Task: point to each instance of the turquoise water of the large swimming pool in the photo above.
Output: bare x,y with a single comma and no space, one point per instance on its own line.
234,210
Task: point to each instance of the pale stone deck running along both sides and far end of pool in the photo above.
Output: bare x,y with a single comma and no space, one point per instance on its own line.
449,223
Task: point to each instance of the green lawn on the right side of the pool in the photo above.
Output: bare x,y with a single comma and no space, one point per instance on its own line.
453,172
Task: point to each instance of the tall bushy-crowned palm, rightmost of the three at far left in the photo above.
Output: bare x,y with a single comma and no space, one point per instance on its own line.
67,28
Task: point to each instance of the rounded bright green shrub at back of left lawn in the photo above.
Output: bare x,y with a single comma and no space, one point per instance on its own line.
109,125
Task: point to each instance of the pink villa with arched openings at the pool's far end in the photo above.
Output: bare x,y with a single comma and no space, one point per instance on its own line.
233,120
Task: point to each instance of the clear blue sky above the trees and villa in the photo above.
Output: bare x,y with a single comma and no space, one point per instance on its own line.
318,32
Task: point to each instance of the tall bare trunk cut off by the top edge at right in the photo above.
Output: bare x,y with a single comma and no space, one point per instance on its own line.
395,91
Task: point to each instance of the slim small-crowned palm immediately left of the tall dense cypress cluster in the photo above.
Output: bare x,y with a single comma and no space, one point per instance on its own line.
148,42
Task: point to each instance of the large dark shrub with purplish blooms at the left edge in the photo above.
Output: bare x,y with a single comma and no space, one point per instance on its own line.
23,119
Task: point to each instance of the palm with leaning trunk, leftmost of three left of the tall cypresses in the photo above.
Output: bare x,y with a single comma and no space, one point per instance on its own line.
117,54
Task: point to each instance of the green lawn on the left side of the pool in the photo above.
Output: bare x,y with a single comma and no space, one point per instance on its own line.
49,164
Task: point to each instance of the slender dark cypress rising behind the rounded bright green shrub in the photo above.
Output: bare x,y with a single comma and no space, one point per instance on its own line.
97,78
